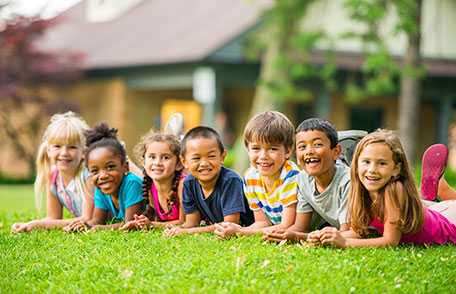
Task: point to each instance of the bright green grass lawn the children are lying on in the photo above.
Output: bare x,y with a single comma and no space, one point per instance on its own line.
112,261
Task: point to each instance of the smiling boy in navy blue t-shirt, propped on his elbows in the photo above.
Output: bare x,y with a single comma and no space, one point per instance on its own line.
212,193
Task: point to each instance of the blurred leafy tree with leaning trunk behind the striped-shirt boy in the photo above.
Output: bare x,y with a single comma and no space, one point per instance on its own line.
277,44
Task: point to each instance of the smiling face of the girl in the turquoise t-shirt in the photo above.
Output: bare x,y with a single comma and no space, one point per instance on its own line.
106,170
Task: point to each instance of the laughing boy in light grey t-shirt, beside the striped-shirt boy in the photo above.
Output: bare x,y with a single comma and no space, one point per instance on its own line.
323,183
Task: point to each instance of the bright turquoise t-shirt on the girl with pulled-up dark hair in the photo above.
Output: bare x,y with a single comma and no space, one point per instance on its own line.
130,193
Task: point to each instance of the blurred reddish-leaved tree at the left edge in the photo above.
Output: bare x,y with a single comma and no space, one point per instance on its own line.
25,71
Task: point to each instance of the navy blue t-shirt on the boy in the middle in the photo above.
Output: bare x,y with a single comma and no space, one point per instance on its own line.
227,198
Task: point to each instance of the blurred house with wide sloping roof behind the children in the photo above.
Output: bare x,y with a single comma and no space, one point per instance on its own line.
147,59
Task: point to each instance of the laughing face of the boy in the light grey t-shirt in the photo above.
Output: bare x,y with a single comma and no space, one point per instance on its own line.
314,153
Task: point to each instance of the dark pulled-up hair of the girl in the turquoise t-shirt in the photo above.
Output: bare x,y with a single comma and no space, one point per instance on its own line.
103,136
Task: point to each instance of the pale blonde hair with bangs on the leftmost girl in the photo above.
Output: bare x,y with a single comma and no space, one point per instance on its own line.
66,128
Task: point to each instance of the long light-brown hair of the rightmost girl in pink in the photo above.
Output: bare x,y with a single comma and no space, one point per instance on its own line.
400,190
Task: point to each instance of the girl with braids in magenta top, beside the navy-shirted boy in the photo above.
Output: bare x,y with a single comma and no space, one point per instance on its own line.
162,183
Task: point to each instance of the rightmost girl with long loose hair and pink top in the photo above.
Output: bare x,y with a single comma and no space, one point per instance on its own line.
383,195
